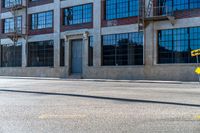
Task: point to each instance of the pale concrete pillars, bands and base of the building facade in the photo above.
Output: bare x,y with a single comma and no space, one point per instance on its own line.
150,69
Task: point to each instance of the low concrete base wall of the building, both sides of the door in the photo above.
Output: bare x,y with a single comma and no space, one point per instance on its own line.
159,72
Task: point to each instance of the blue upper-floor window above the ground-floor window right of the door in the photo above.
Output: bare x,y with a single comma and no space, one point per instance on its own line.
121,9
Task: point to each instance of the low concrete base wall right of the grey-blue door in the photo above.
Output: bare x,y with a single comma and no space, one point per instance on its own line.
159,72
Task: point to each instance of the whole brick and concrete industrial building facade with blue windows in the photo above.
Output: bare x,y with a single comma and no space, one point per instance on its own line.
115,39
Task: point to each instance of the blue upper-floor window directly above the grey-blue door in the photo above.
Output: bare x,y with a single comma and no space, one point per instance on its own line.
78,14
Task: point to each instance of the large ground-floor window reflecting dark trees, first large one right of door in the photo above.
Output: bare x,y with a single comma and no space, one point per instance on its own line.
123,49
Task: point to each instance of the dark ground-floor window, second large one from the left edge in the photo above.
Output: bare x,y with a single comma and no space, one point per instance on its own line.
40,53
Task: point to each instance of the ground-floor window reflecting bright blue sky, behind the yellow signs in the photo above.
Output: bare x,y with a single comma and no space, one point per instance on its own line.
175,45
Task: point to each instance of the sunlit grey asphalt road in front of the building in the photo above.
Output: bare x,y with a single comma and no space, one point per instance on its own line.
82,106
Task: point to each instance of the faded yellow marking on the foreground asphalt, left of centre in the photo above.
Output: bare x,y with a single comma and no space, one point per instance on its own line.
54,116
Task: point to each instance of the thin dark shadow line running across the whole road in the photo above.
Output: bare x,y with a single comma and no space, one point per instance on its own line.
100,97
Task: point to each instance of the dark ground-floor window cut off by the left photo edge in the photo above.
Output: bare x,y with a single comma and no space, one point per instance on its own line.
11,55
